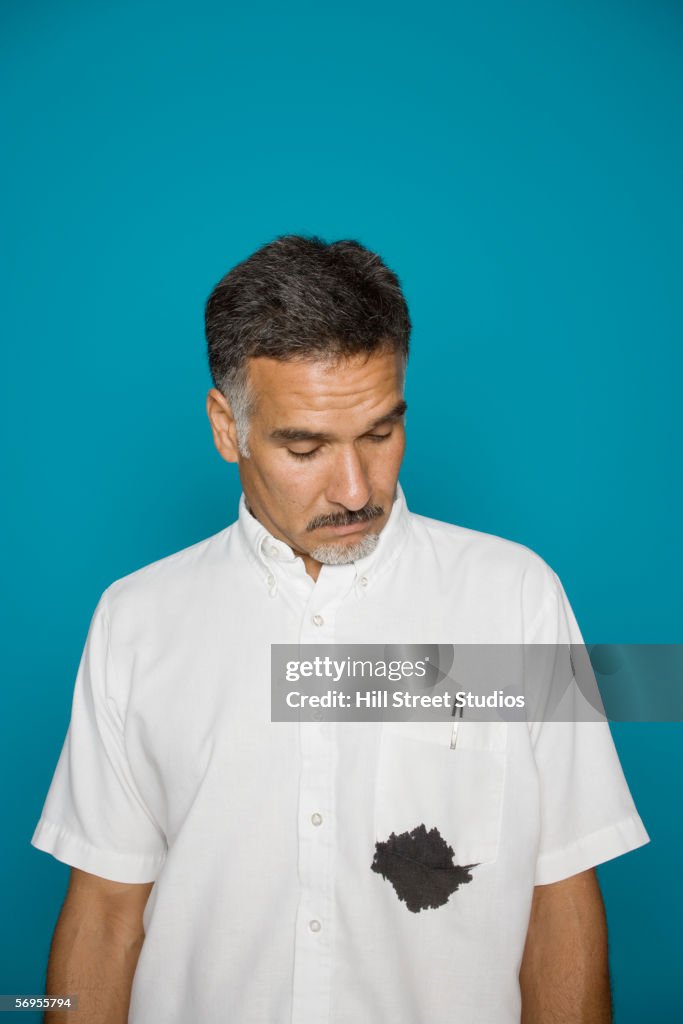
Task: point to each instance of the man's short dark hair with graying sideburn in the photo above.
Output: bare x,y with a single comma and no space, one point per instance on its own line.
301,297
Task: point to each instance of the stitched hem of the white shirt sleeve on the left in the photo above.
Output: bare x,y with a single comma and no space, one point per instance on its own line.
73,850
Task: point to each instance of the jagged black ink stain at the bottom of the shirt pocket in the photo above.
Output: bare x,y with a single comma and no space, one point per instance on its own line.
419,866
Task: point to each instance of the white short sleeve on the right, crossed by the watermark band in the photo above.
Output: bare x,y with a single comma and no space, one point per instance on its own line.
587,814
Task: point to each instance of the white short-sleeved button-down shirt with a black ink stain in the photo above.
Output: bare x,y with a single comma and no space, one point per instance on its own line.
261,837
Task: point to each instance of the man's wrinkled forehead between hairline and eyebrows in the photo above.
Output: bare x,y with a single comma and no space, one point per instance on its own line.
301,392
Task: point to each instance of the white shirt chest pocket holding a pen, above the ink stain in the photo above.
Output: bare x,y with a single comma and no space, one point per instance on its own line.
425,777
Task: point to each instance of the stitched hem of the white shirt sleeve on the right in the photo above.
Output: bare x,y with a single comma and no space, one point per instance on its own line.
591,850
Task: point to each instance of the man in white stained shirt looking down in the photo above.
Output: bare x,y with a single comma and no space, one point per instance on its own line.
228,868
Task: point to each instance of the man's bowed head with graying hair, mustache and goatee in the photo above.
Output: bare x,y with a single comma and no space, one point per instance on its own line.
308,351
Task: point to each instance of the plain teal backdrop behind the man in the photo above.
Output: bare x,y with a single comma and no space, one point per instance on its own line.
519,165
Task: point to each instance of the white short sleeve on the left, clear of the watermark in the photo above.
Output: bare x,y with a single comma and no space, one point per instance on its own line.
95,818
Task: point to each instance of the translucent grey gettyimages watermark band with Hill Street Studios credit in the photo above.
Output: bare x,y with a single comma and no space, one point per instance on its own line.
478,682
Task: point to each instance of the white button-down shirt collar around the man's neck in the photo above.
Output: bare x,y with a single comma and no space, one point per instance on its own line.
270,553
